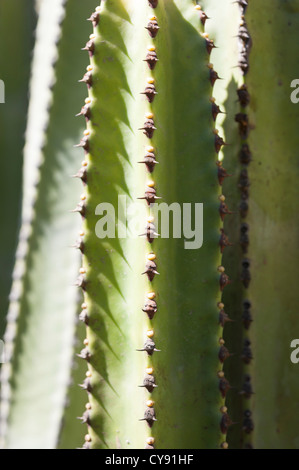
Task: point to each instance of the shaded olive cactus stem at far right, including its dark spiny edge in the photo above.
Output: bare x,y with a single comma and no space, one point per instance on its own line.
261,300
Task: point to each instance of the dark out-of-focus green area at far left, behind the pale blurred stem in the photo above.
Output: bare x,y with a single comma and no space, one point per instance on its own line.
12,123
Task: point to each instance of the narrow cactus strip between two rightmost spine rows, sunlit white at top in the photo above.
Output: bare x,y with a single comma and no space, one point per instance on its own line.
225,60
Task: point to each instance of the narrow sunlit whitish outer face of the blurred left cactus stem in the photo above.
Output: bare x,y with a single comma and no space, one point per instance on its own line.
33,159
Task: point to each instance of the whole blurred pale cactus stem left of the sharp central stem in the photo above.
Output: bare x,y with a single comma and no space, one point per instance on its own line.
43,301
